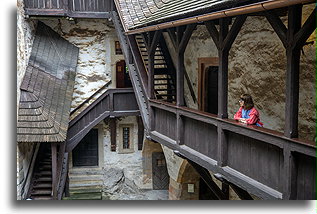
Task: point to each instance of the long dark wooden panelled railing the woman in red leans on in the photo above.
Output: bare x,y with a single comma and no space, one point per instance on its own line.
262,161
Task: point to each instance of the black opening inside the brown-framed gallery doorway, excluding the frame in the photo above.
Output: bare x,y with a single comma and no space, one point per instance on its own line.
211,93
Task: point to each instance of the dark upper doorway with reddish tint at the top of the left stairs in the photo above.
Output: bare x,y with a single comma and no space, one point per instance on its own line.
122,75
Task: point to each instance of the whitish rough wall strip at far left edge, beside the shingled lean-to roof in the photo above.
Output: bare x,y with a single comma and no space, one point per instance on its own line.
25,36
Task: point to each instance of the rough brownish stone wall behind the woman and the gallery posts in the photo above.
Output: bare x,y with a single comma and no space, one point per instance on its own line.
257,65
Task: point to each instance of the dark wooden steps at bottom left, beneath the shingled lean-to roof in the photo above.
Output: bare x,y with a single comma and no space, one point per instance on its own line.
41,183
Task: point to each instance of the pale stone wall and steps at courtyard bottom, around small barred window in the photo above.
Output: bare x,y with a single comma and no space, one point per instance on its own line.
118,175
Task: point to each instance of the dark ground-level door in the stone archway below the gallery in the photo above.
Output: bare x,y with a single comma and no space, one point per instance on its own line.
159,171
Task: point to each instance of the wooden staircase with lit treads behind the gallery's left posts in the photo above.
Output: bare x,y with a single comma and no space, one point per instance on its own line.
164,77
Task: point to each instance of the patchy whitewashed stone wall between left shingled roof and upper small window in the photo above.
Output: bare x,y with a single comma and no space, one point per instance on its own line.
96,62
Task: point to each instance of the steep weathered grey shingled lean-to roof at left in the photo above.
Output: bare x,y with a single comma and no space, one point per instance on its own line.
47,88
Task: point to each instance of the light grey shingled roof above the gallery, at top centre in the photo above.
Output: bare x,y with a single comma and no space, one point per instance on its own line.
139,13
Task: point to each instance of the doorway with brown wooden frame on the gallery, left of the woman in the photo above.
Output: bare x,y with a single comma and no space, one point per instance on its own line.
208,85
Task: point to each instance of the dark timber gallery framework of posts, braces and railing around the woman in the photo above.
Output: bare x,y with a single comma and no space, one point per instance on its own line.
212,148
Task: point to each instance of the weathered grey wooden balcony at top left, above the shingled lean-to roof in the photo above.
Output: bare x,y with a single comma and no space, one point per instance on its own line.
69,8
